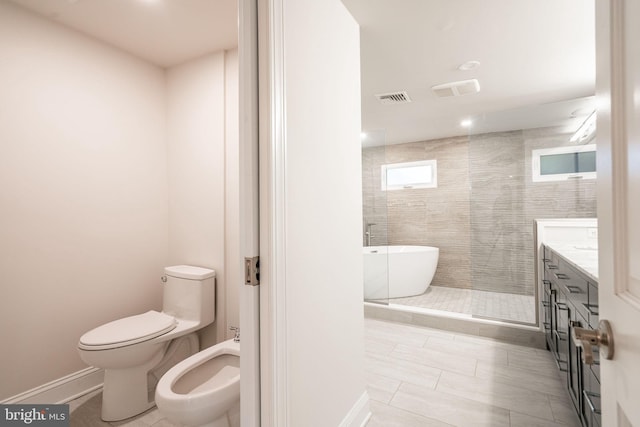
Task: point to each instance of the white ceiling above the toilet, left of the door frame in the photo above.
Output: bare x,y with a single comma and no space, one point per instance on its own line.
163,32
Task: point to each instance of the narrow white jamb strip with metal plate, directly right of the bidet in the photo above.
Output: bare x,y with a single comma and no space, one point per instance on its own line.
249,217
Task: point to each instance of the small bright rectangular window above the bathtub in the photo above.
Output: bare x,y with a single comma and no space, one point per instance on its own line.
399,176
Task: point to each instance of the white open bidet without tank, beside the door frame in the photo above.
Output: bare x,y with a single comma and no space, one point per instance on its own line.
204,389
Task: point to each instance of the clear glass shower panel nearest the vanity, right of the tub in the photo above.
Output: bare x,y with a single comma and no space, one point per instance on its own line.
502,267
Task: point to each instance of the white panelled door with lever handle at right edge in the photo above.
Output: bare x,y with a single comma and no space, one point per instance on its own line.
618,139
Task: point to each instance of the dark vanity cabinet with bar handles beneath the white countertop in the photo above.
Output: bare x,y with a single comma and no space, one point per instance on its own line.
569,299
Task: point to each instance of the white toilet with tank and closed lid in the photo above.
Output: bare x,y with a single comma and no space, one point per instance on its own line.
137,350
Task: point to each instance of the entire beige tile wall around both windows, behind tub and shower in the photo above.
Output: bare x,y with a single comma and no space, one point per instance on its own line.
481,215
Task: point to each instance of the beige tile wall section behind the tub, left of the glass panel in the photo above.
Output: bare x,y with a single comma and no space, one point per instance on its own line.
429,216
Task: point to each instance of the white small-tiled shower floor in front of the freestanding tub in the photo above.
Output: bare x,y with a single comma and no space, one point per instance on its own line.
492,305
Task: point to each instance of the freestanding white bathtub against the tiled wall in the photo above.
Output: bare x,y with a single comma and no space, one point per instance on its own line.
398,271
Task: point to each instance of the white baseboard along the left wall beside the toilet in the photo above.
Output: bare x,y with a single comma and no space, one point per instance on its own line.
61,390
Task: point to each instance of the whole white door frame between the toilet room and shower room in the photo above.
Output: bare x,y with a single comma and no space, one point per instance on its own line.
262,210
